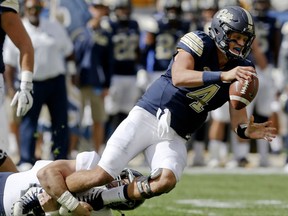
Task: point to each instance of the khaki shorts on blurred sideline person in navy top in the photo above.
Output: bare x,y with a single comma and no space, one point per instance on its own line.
91,97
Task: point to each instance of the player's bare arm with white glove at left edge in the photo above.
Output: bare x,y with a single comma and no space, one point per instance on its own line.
12,26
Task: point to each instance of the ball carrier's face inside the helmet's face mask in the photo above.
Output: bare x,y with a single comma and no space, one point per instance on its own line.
237,42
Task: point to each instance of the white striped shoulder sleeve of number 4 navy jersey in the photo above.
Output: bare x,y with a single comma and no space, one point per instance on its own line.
192,41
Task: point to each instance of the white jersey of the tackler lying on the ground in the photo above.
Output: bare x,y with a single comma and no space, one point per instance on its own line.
17,183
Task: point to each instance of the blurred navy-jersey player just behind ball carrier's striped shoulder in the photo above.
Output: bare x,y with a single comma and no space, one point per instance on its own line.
159,46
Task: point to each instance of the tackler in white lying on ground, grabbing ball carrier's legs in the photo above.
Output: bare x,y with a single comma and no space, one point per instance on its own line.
21,202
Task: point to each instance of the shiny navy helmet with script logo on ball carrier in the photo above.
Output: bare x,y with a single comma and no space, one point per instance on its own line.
232,19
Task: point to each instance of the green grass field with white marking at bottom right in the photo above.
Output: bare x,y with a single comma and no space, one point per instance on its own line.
221,195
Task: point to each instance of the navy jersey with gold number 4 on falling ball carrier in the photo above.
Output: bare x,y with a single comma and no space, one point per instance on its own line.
189,107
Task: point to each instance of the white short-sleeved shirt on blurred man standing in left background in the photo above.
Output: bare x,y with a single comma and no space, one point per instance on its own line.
50,41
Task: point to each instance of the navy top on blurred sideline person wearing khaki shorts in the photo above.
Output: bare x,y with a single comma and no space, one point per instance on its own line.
93,53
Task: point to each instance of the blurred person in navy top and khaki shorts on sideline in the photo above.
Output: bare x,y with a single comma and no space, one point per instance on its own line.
94,57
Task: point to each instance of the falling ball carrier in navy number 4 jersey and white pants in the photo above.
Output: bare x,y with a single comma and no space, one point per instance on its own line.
174,106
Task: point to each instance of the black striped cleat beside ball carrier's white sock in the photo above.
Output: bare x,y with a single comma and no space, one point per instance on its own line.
92,197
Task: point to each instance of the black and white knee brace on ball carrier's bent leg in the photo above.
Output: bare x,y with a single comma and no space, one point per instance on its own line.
143,184
